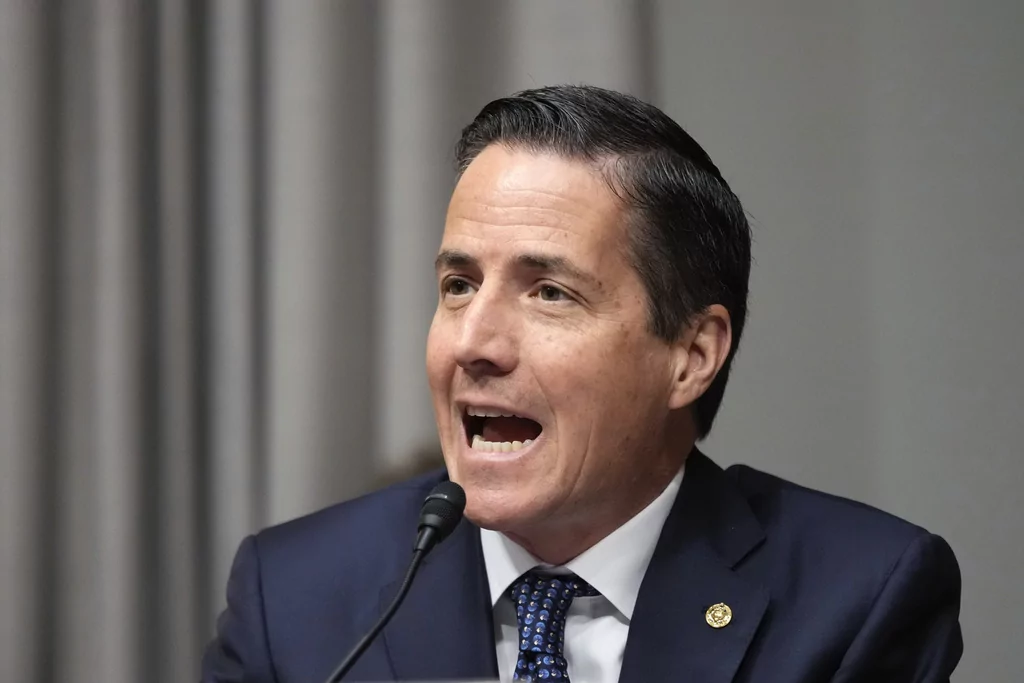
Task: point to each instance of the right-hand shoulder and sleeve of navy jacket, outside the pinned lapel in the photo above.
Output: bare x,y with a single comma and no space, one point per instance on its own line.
882,593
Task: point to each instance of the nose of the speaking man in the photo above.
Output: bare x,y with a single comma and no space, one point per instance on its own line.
488,341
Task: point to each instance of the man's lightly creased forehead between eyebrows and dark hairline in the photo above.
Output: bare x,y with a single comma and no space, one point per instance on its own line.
511,196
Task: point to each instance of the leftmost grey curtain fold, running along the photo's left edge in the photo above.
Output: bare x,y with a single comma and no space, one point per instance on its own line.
26,41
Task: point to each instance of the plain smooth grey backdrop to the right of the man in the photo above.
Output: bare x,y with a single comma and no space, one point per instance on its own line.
878,148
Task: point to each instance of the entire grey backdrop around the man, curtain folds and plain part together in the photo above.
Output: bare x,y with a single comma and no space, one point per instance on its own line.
218,223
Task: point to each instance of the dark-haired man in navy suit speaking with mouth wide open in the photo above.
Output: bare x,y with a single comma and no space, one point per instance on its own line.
592,291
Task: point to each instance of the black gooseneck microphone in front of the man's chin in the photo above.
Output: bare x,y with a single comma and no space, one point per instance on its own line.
441,514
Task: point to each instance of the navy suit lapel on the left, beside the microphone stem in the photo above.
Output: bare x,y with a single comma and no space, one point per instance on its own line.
445,630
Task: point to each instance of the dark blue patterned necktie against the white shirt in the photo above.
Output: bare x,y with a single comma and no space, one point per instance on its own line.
541,604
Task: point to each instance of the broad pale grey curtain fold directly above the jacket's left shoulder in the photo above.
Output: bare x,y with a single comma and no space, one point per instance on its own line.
320,118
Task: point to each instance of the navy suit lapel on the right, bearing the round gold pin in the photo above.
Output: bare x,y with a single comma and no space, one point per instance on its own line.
710,530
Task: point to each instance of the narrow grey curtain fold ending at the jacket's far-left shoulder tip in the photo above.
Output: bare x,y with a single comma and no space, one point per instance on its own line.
235,223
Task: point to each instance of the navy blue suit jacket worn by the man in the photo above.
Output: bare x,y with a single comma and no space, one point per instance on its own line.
822,589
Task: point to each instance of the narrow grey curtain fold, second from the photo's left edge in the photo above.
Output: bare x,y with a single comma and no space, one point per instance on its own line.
75,420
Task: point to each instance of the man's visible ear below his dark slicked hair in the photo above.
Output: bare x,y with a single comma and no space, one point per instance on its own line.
701,353
